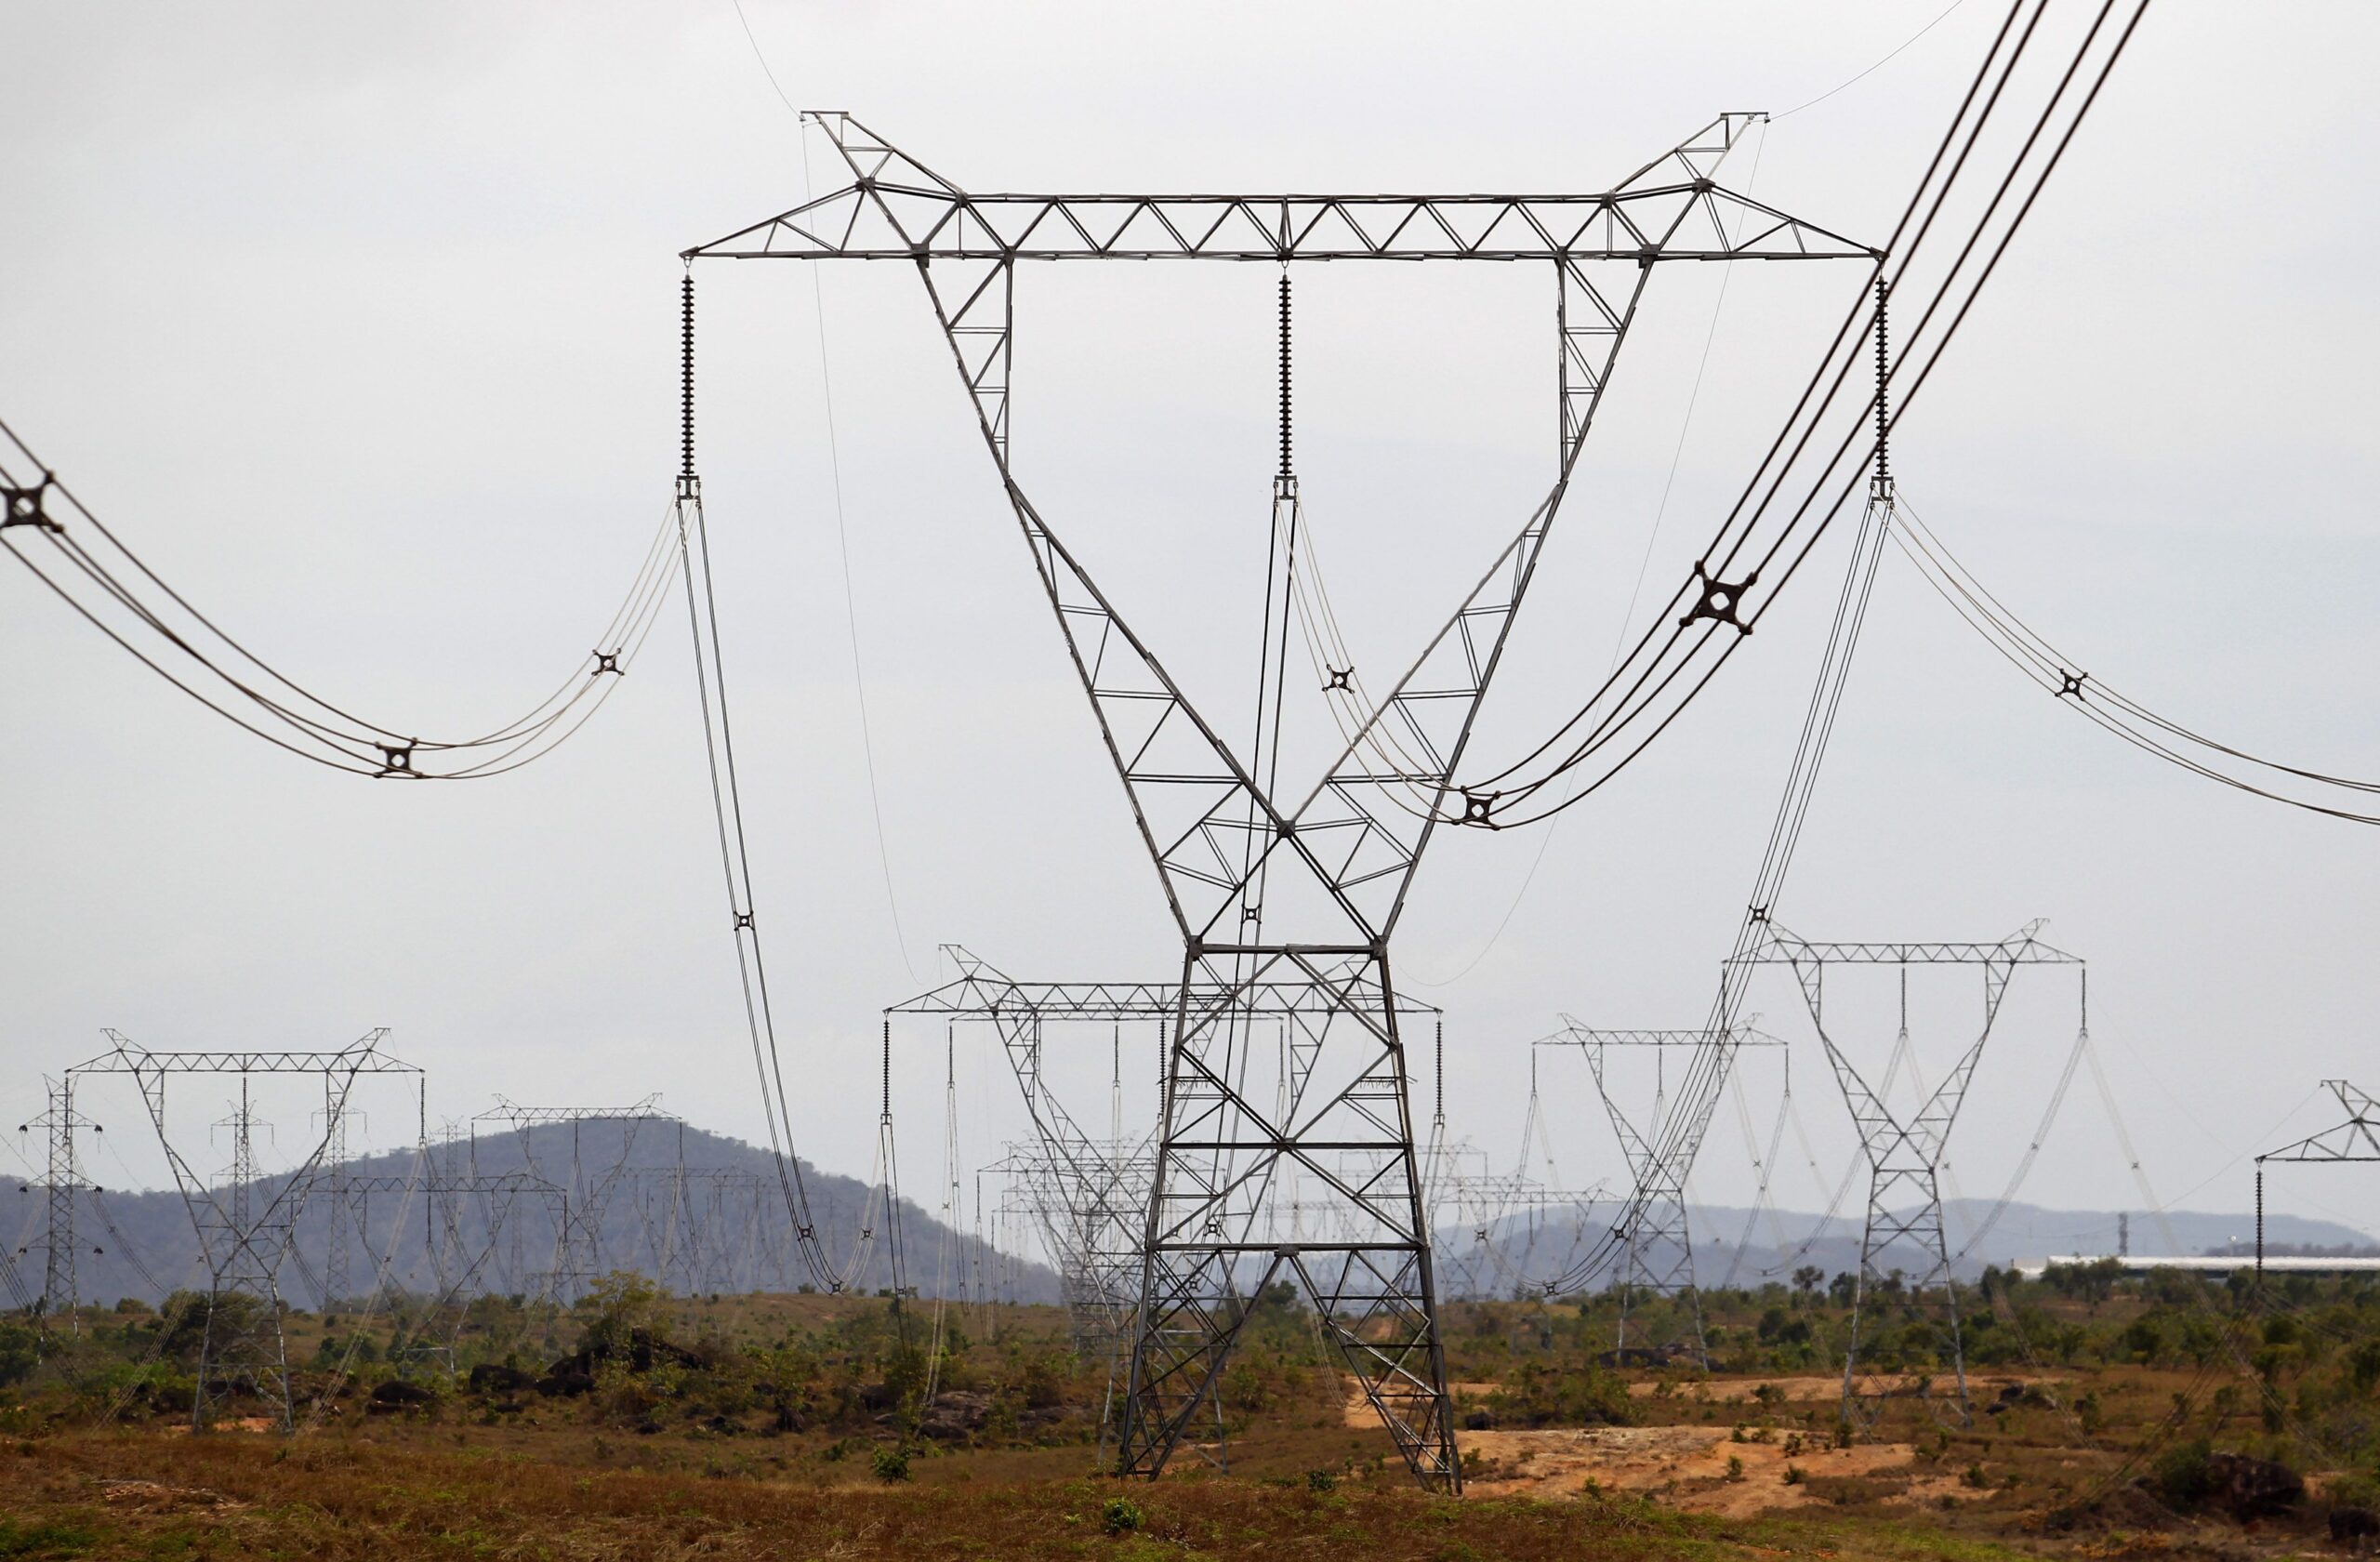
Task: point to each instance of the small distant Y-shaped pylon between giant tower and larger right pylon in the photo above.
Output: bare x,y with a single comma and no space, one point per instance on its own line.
1658,1237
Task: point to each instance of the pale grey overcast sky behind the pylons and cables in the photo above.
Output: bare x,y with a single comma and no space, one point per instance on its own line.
361,323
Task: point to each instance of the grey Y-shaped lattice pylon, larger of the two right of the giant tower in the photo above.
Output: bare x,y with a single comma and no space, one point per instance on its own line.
1905,1156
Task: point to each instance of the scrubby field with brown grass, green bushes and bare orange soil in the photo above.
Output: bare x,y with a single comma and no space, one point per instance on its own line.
2107,1418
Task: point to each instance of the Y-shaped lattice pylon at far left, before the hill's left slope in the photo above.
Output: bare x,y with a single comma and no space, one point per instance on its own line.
246,1227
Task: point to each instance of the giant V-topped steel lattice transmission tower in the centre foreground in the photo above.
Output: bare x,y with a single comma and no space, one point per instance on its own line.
1329,868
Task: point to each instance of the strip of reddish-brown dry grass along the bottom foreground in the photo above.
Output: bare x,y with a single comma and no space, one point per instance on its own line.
337,1499
